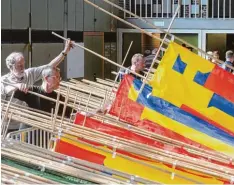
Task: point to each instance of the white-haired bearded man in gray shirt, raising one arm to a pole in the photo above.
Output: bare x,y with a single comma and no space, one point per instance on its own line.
23,79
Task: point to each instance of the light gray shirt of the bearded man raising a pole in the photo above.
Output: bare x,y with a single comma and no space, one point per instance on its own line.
31,76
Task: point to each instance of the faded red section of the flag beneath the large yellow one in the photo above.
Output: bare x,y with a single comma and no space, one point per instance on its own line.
130,111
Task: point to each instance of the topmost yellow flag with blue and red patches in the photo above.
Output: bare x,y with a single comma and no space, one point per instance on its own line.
186,80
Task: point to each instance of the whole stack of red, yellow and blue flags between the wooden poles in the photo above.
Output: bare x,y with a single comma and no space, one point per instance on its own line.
189,100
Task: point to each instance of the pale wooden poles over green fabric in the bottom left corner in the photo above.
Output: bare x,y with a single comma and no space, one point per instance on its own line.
16,156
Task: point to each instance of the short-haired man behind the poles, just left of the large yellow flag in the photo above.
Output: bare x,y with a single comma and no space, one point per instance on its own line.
138,65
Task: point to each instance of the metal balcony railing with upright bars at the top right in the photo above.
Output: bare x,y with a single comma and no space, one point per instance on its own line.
200,9
